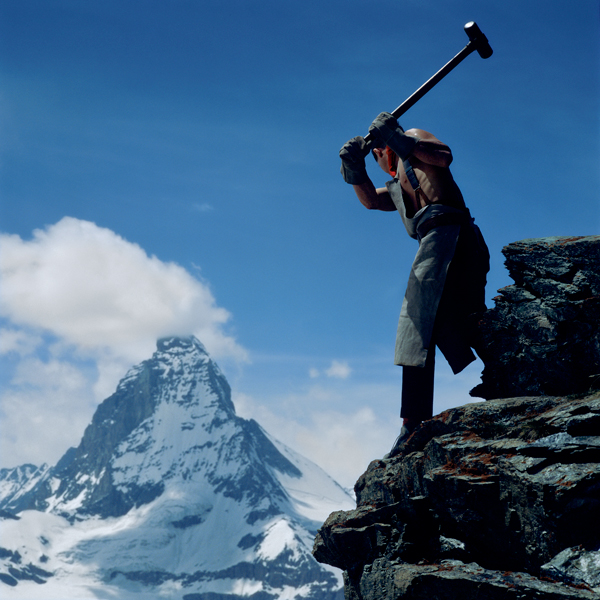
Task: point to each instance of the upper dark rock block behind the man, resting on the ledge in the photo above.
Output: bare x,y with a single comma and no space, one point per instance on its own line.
542,337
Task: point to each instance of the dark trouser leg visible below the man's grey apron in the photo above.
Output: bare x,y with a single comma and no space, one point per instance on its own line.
417,389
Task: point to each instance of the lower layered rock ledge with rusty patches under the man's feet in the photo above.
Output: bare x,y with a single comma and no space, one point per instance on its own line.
490,500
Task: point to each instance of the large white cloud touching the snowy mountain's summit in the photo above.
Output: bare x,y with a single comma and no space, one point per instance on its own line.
95,290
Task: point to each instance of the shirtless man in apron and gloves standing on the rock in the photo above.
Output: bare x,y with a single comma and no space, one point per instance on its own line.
446,286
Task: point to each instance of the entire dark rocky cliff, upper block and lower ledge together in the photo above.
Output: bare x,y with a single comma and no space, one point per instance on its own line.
497,499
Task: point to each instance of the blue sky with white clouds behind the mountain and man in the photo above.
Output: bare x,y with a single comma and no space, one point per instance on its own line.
171,168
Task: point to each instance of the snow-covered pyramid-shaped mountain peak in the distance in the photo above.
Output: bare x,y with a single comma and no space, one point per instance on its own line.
169,494
